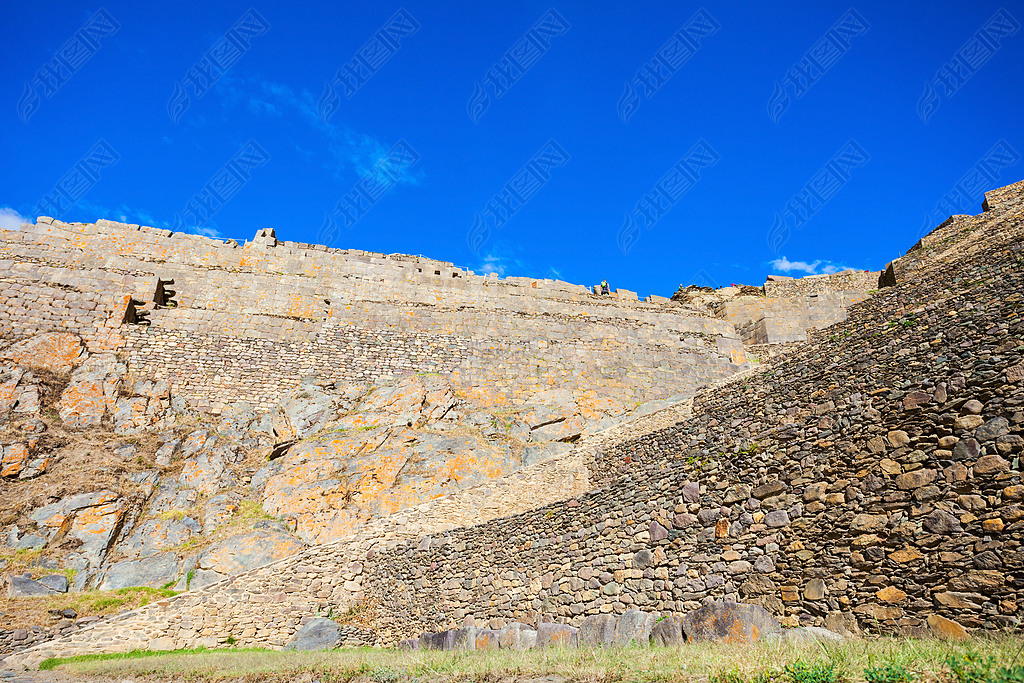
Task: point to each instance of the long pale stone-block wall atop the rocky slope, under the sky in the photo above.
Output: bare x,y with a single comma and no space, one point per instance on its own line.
227,323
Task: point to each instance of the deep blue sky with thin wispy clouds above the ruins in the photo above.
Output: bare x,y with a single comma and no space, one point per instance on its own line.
655,146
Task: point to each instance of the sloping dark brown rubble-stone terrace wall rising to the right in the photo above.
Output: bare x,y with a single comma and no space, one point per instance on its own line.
871,476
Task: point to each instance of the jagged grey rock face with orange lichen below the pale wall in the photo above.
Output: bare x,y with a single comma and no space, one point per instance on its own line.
350,454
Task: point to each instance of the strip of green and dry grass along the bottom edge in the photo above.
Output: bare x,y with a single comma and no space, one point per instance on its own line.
882,661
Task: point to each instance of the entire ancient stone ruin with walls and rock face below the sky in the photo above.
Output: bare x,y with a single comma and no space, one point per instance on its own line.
293,437
